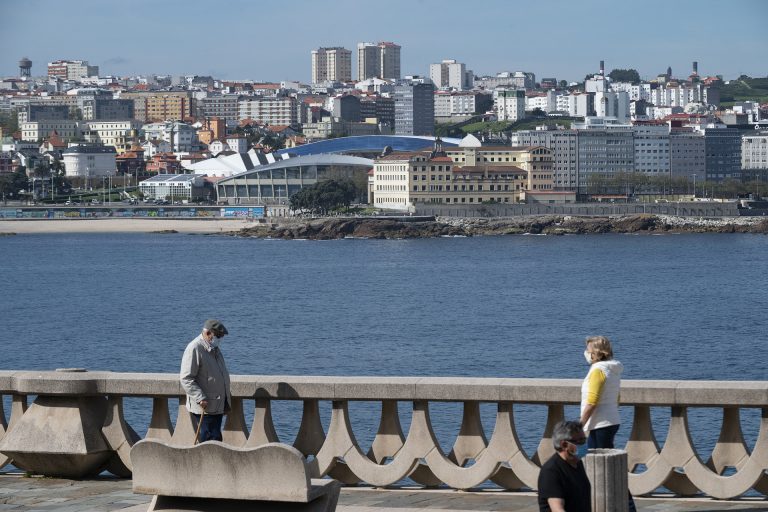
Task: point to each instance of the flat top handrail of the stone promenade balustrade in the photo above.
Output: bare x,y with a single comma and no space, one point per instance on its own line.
449,389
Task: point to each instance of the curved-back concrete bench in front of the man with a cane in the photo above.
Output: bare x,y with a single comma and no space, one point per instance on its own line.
213,476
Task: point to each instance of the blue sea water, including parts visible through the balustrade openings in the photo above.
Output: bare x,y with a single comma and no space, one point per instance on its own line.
676,307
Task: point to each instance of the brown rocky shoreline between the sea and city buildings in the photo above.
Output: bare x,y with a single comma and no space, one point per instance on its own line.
394,228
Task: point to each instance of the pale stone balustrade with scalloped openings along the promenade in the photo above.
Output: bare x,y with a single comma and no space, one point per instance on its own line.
75,427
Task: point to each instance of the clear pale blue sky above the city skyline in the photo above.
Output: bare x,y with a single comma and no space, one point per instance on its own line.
272,41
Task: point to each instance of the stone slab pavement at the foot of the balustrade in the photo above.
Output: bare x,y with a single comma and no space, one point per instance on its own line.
40,494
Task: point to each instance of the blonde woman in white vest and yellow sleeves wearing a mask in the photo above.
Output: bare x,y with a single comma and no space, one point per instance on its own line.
600,393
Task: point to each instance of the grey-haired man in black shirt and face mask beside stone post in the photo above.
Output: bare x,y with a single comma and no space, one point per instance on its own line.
563,483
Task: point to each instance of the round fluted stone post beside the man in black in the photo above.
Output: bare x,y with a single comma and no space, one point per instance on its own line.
607,472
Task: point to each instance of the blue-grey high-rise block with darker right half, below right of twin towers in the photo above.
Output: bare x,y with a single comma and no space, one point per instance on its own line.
414,107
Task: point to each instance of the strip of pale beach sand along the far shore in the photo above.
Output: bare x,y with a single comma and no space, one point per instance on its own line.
116,225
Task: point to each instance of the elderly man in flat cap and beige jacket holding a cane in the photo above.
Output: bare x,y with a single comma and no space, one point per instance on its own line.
205,380
